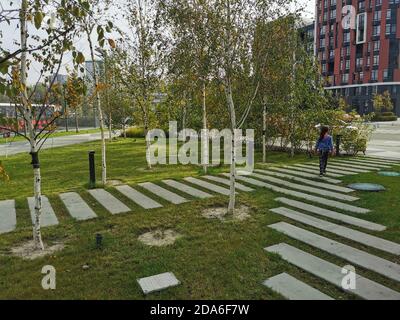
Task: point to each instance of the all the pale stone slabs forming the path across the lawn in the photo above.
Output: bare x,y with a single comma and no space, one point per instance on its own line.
307,201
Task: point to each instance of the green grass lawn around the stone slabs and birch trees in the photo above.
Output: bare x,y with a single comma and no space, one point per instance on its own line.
213,259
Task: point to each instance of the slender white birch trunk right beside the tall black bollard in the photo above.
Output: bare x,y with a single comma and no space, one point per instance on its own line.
100,111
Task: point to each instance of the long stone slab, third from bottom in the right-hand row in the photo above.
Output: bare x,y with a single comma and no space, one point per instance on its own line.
353,255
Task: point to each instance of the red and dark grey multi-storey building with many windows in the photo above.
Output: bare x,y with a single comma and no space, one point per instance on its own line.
357,43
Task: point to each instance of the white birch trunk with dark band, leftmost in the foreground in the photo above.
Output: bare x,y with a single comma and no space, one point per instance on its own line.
28,115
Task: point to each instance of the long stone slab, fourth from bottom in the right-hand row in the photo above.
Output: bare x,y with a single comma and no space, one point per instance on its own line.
357,236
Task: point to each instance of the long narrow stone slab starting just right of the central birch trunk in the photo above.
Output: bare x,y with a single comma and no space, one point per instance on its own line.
320,200
